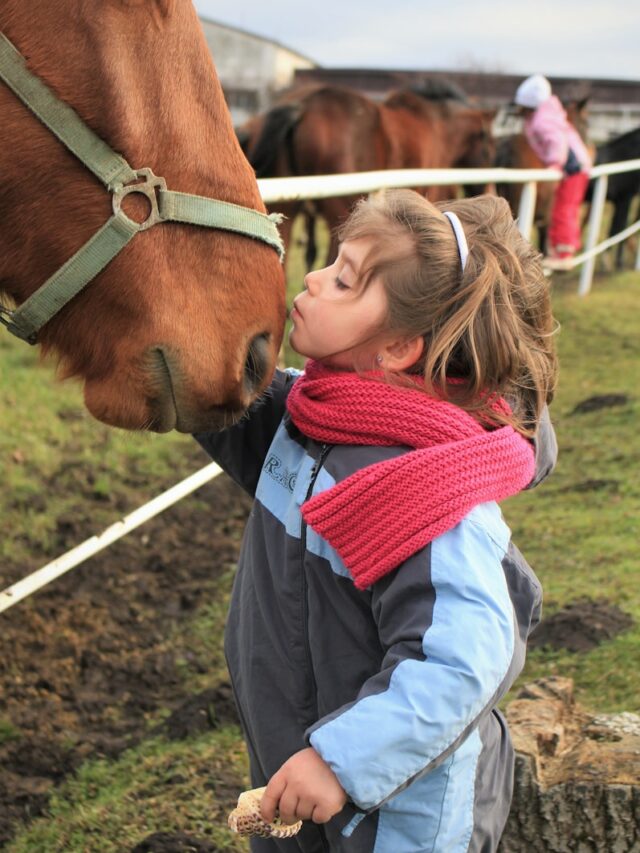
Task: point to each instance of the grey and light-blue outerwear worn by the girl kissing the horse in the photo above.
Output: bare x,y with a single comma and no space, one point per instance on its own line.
394,686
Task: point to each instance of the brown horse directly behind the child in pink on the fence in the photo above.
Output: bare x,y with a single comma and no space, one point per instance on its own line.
514,152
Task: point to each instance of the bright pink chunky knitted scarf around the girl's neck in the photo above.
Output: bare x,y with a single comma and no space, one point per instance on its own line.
381,515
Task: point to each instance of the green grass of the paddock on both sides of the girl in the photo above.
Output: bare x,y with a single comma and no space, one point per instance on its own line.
579,530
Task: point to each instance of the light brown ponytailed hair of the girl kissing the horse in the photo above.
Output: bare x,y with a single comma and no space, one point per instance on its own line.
488,330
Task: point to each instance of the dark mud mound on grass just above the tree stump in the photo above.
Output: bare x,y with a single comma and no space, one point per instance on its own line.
581,626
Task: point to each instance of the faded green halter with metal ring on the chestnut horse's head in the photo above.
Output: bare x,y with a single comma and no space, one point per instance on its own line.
120,179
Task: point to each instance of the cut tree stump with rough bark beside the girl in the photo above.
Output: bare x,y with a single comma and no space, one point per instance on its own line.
577,777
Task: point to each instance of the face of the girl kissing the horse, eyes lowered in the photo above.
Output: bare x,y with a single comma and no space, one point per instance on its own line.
335,320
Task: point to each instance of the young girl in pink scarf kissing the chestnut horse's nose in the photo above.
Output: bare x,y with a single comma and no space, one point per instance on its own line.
380,611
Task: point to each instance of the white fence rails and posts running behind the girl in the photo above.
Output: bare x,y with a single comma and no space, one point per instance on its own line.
276,190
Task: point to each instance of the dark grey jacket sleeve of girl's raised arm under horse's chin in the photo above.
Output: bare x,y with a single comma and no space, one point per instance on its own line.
240,449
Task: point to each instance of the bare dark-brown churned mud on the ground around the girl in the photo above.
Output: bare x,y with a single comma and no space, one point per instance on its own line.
95,641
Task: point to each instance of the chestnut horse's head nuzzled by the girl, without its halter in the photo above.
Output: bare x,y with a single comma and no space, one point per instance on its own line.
182,329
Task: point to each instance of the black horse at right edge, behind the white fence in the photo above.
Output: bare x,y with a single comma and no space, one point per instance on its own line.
622,188
